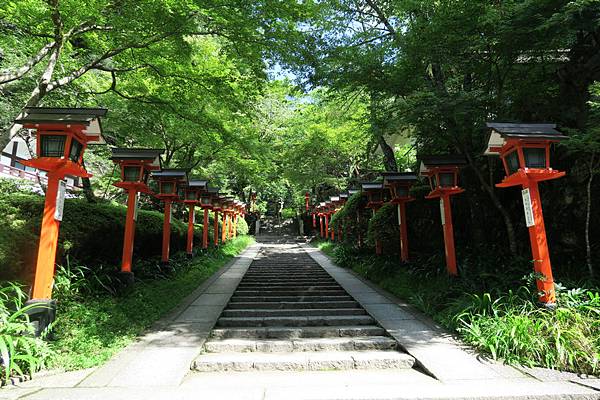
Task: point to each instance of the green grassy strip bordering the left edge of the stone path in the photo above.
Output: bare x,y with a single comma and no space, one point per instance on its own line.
93,326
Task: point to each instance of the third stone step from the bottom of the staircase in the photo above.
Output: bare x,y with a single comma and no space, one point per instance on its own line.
297,332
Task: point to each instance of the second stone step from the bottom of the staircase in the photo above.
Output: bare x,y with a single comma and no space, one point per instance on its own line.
297,345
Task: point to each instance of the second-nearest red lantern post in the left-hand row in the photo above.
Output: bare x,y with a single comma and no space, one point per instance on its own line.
136,165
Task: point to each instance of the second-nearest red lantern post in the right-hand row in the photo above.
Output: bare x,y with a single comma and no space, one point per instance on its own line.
442,172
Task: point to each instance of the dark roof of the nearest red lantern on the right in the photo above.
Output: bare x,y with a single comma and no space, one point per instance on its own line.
502,134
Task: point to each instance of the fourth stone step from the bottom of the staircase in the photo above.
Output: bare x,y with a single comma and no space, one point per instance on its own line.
341,320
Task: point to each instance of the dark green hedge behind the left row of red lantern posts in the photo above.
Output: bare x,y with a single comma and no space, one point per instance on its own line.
90,234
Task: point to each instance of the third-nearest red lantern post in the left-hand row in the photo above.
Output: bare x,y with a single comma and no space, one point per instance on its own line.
169,180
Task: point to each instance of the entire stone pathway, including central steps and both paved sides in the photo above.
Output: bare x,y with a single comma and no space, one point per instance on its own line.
283,322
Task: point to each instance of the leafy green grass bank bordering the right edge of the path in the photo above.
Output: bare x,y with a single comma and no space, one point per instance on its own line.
495,312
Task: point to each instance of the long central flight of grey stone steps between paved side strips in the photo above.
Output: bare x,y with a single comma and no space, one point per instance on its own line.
288,314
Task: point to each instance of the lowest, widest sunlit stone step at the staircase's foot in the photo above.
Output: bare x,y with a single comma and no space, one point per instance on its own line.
306,361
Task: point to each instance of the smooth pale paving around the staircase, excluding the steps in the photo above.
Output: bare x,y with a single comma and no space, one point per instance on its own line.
158,365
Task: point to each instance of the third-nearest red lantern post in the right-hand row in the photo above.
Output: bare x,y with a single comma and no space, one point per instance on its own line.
399,184
